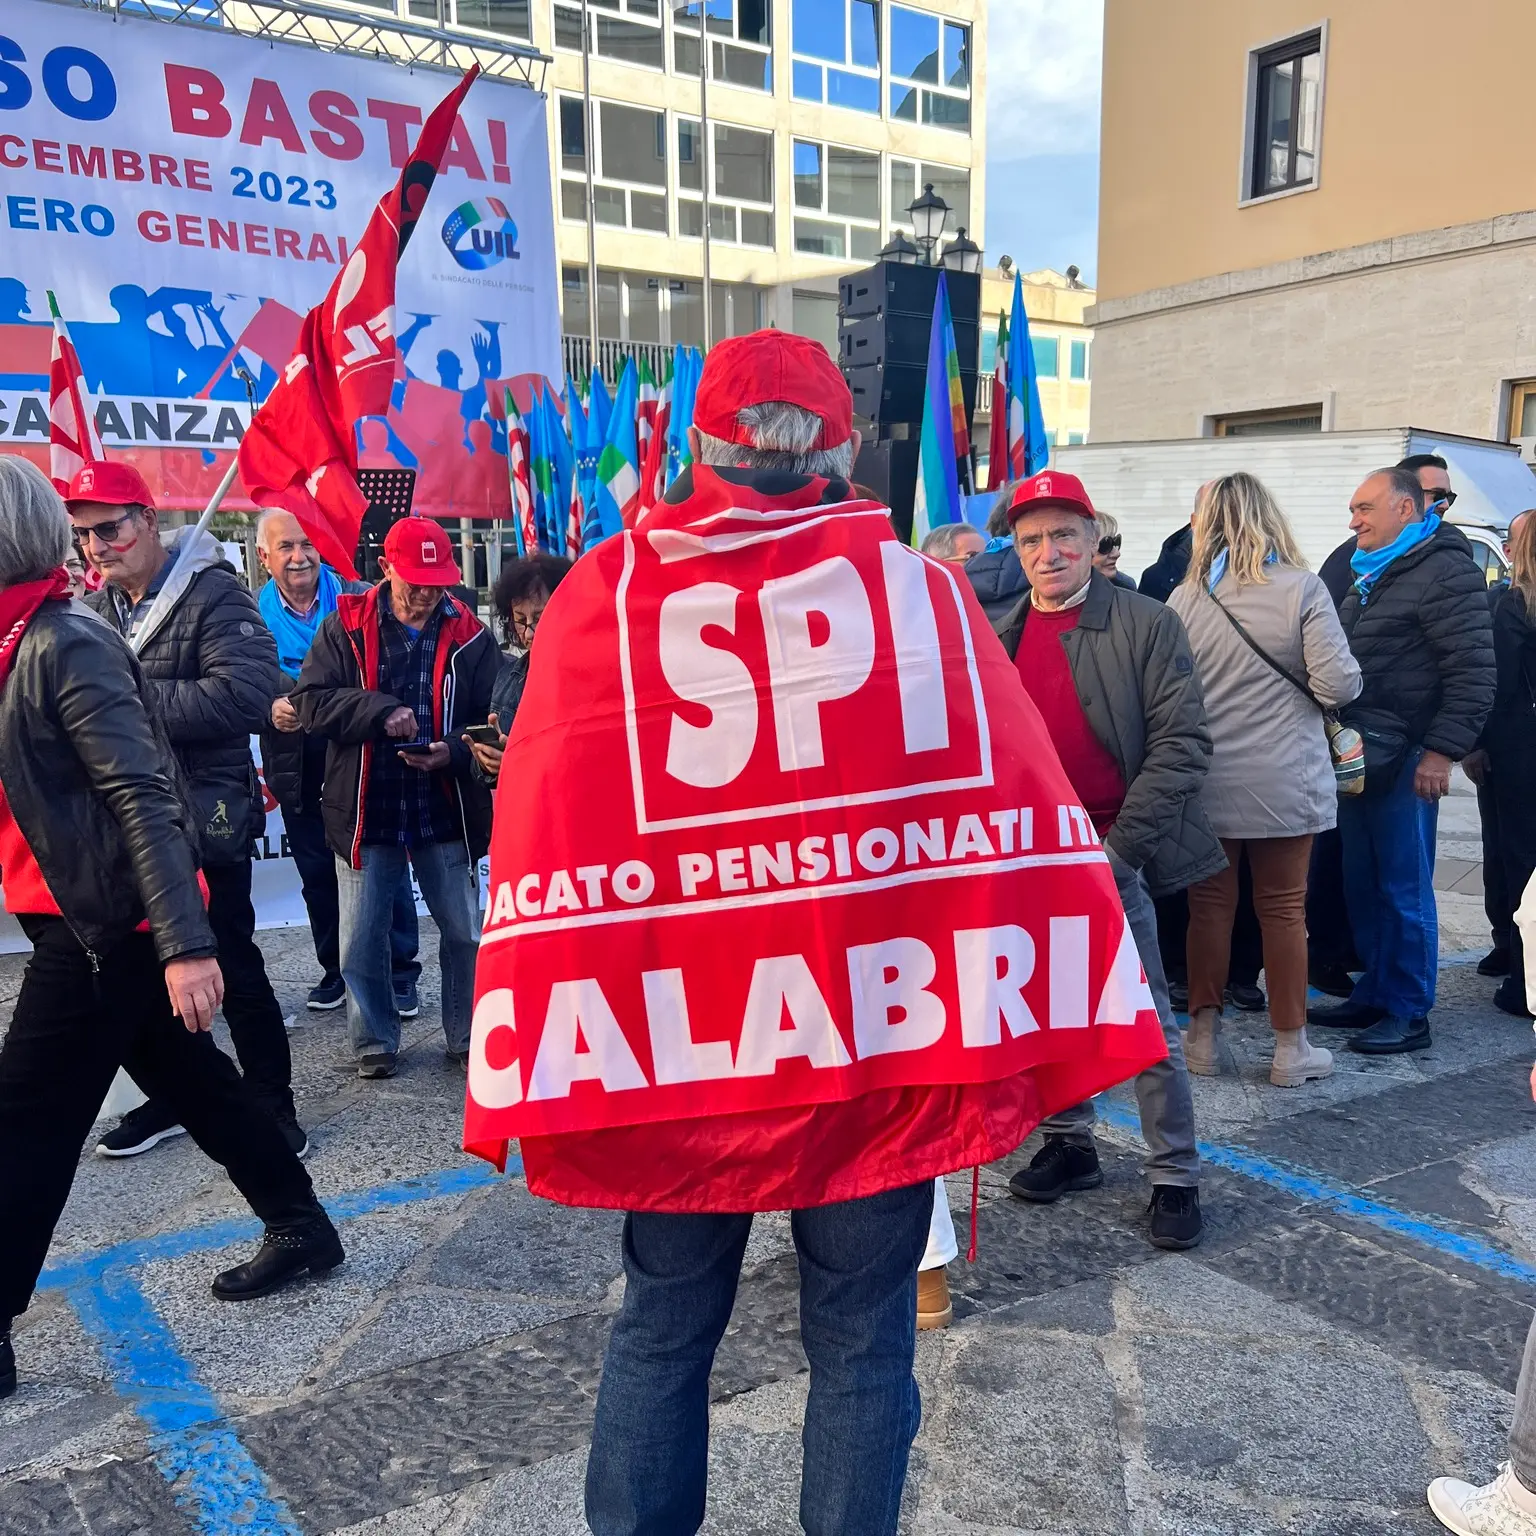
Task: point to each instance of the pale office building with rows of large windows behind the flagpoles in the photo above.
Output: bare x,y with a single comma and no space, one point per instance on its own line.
827,121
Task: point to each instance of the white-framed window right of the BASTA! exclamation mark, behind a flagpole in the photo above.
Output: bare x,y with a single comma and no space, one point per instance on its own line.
629,165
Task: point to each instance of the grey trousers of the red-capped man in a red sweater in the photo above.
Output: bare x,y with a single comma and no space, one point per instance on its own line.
1168,1108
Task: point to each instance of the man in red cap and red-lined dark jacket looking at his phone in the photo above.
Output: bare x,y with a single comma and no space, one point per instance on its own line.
391,683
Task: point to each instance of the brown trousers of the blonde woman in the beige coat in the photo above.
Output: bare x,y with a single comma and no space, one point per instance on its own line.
1280,898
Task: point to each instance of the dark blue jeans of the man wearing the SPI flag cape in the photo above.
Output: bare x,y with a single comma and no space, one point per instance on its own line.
650,1443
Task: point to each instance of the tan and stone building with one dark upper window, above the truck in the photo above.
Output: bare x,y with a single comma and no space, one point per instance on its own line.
1316,217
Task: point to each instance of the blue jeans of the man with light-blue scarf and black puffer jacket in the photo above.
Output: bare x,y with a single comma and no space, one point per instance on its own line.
1389,886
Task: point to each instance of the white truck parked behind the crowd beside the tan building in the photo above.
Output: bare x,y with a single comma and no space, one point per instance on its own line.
1151,486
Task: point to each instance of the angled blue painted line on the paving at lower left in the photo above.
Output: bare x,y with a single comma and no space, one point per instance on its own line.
213,1475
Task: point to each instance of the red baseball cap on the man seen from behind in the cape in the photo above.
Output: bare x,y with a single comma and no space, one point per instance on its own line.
772,366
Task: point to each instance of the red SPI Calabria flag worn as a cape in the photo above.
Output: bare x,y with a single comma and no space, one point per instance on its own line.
784,859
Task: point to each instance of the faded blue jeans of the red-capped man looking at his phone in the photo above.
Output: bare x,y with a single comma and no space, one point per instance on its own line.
451,889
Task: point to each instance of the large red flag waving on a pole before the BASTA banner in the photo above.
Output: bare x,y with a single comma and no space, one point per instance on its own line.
300,451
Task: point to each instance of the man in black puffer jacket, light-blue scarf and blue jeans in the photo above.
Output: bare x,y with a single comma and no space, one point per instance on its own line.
1417,618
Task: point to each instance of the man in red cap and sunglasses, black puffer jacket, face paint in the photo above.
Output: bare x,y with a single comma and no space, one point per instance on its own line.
213,674
